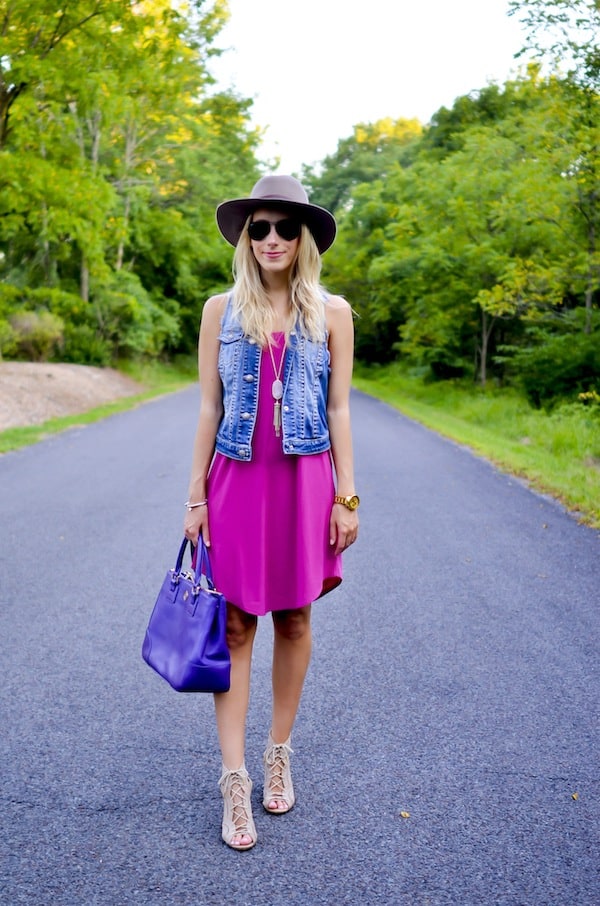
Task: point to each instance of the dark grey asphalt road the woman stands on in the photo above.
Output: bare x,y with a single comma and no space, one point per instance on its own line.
454,678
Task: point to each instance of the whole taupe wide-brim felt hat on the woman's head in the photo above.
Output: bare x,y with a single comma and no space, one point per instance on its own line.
278,192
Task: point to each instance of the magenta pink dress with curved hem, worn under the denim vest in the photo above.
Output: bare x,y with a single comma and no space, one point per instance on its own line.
269,518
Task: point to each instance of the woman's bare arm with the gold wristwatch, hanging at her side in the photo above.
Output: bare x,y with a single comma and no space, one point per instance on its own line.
343,522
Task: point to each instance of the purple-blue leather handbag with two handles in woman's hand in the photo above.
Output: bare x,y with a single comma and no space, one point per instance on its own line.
186,640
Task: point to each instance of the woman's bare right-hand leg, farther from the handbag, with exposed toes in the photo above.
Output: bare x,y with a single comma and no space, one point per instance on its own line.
291,657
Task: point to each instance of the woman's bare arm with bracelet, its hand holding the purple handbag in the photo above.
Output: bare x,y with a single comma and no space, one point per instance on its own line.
211,411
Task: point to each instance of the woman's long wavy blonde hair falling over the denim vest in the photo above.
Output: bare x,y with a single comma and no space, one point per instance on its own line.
250,301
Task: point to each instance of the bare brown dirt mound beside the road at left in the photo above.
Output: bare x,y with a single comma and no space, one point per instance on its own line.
32,393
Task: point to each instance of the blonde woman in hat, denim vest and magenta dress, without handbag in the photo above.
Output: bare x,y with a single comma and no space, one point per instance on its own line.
275,364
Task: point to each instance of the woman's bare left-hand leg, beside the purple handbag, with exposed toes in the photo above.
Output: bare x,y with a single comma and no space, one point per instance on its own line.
231,707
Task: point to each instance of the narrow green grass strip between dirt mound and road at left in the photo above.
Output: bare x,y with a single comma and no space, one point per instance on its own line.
155,378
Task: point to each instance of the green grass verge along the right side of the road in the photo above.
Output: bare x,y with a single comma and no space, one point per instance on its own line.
558,453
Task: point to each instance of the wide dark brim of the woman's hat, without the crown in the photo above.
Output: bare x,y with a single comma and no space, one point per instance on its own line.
232,215
